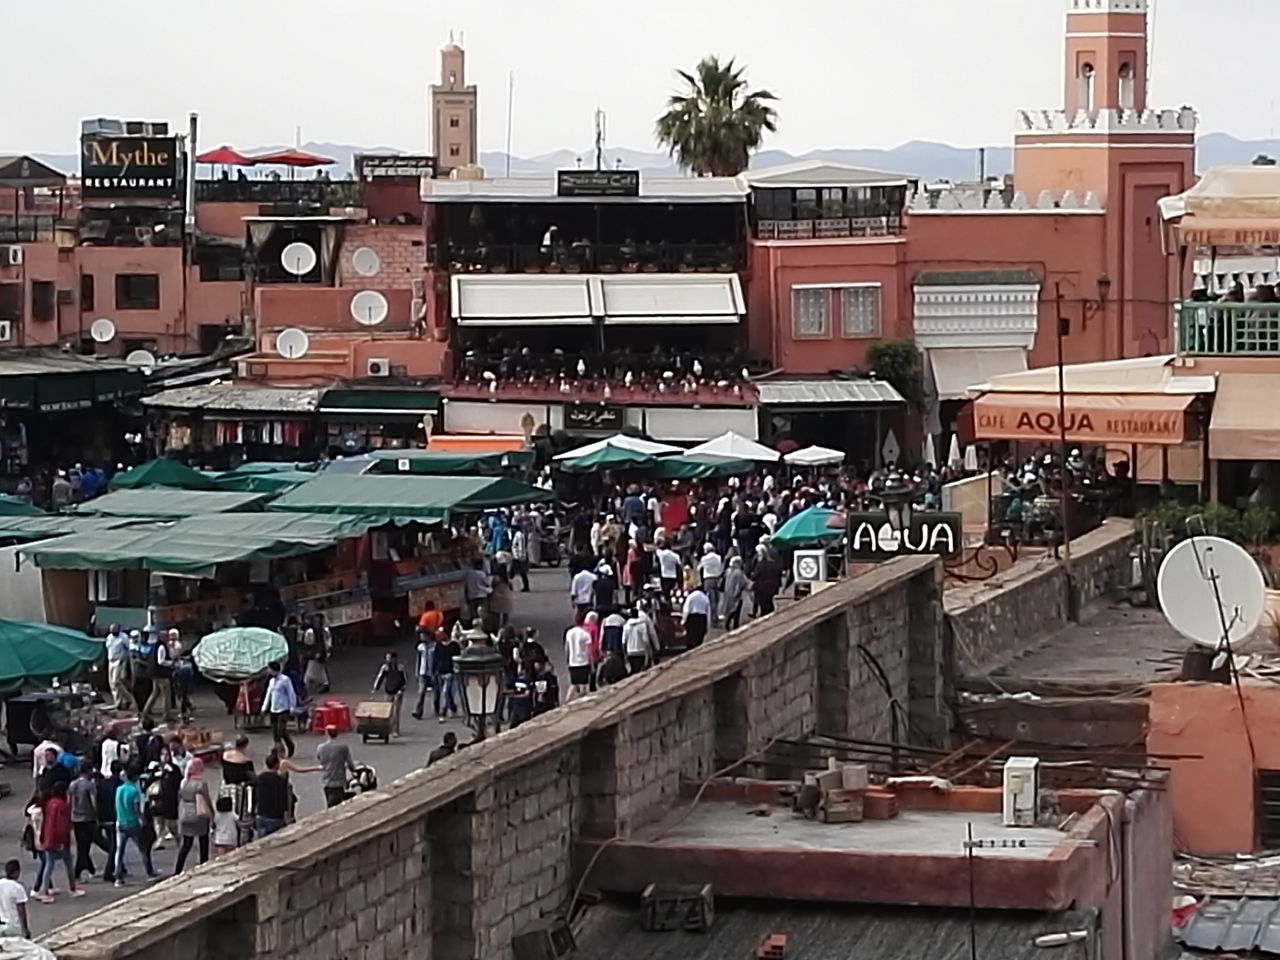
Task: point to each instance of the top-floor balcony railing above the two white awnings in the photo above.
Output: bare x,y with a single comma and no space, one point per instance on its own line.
589,258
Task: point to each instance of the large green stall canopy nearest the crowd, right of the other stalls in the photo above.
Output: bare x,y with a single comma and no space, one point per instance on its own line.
405,499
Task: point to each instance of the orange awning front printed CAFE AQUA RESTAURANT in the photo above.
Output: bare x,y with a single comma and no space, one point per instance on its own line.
1091,418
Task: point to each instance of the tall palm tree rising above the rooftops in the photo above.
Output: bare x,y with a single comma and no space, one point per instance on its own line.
715,124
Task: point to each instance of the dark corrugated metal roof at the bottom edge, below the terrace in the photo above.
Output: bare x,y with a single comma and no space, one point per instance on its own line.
836,932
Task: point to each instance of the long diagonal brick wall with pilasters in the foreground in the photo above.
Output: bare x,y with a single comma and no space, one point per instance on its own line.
450,863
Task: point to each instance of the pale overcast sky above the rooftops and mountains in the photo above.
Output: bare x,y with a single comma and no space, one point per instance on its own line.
851,74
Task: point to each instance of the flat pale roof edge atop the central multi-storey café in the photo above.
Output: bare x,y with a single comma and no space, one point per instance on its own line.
542,190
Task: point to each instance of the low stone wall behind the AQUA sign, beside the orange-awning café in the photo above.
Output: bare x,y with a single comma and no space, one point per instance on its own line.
991,623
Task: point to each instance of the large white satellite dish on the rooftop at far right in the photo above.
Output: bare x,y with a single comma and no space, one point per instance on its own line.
1208,582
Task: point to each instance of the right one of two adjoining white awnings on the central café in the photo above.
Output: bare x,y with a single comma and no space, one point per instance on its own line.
673,299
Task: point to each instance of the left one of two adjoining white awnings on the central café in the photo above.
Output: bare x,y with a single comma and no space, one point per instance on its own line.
514,300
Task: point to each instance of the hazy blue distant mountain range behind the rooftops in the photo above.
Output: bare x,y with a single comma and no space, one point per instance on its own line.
925,159
